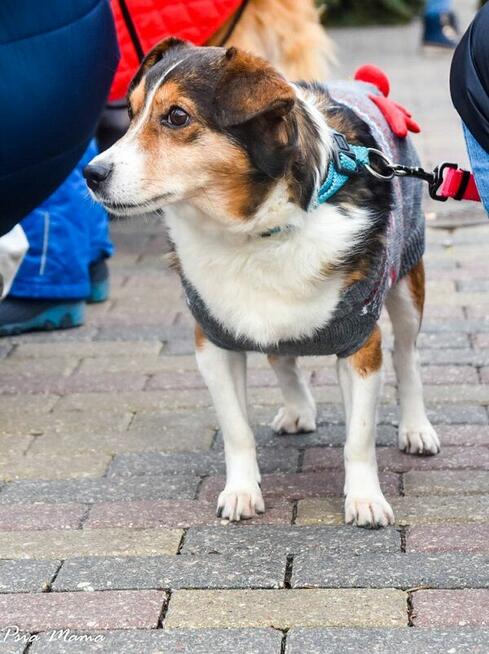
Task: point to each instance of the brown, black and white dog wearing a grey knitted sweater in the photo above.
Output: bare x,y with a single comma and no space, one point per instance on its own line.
273,259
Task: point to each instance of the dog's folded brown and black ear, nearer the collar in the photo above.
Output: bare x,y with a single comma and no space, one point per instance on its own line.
254,103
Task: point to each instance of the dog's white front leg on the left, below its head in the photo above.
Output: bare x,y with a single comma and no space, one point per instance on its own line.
225,375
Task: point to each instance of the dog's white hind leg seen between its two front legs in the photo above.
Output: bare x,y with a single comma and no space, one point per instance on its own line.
299,411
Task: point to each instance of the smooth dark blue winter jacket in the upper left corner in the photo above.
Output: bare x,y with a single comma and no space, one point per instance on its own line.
57,61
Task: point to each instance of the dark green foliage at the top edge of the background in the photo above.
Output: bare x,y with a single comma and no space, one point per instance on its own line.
369,12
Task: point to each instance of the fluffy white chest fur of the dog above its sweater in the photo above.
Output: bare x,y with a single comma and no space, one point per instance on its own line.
267,290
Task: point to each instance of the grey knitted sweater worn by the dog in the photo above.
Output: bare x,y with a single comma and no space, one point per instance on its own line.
361,303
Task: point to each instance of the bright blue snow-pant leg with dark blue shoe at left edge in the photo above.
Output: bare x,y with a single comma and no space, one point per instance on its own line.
53,281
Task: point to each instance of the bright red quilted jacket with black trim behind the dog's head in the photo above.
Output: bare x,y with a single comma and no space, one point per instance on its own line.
153,20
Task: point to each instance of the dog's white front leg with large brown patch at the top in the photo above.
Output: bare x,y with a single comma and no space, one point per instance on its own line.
360,377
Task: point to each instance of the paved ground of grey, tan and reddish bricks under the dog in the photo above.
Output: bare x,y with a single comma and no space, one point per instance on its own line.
110,463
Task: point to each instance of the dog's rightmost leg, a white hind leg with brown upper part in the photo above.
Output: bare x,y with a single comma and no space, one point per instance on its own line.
405,306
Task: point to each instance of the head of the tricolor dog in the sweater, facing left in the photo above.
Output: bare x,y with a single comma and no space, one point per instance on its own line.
210,126
